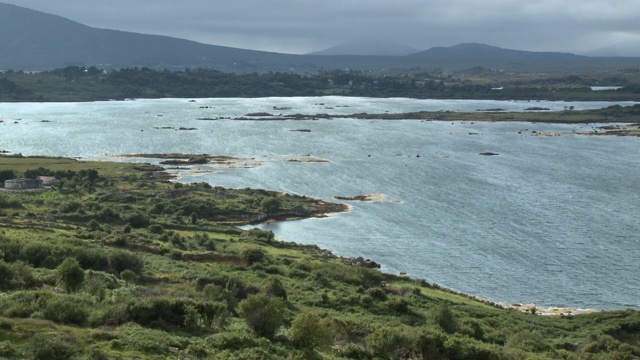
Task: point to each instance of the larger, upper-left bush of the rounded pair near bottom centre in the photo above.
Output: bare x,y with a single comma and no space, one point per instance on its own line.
263,314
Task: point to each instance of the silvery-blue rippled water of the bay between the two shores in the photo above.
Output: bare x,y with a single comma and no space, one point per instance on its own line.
551,220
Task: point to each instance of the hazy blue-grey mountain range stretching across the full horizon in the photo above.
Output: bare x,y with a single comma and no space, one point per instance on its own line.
33,40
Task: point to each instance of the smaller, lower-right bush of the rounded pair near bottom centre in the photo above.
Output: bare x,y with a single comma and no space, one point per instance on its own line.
308,331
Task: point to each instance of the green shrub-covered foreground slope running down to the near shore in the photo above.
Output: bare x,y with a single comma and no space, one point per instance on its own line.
116,262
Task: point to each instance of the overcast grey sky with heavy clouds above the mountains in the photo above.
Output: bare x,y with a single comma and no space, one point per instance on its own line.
301,26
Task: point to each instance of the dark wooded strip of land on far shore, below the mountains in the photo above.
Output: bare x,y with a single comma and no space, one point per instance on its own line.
75,83
